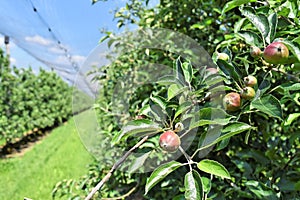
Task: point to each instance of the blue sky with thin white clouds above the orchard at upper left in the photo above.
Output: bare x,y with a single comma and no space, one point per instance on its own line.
76,24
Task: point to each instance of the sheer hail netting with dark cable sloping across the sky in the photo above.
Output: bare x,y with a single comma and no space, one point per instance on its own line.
34,27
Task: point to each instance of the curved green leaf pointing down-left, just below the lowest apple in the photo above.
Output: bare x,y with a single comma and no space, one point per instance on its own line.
160,173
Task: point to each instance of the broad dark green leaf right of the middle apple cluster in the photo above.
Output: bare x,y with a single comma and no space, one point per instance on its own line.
269,105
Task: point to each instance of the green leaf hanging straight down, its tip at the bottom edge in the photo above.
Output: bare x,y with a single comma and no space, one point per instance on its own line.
193,186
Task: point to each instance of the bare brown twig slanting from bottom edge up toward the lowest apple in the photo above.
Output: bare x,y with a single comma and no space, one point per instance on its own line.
114,167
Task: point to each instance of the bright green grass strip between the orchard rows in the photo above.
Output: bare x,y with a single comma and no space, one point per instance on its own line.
60,155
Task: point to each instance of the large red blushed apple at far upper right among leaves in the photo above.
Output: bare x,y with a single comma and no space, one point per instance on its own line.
276,53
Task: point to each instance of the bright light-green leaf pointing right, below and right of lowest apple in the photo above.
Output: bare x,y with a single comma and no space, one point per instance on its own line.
214,168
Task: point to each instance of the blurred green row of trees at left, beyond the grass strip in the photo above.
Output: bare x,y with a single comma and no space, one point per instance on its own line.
30,101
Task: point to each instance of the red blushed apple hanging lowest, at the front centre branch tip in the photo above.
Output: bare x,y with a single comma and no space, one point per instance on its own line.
169,141
